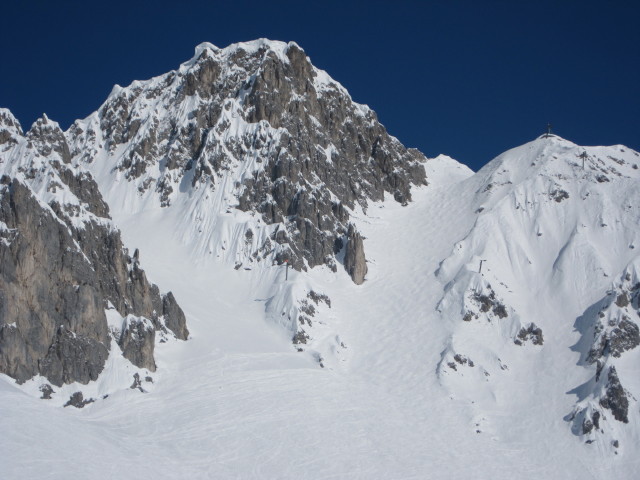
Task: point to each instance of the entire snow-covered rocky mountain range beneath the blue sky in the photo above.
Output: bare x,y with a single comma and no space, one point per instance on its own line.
491,330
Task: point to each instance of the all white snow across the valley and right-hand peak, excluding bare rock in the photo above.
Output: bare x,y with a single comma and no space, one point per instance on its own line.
238,401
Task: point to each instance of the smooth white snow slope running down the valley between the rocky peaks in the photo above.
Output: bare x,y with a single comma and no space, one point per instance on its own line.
237,400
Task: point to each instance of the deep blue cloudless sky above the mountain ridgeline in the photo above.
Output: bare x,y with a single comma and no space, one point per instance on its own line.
466,78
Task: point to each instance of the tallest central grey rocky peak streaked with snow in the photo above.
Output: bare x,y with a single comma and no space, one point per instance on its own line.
253,127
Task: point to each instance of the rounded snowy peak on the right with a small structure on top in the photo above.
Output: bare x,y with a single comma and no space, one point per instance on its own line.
551,250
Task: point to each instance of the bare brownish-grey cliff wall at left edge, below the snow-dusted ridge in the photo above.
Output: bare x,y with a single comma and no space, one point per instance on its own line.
48,291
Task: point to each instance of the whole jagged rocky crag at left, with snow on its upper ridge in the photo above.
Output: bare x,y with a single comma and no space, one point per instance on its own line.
62,265
